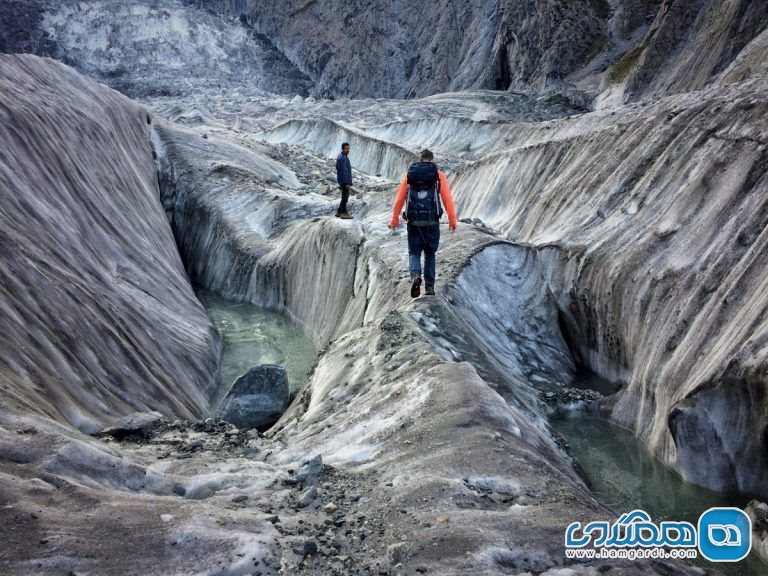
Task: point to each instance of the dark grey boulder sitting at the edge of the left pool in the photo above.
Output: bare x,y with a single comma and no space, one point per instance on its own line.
257,398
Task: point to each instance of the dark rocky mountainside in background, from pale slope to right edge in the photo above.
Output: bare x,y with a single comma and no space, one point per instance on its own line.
622,49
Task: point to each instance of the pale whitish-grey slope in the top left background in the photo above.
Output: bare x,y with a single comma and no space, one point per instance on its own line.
158,48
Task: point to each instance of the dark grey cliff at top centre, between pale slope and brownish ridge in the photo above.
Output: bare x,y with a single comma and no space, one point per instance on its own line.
416,50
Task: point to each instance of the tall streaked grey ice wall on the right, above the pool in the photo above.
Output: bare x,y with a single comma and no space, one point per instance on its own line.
656,218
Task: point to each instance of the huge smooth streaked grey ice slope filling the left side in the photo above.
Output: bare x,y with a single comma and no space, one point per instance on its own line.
97,316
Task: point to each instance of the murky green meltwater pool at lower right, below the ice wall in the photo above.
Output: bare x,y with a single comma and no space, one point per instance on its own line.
624,476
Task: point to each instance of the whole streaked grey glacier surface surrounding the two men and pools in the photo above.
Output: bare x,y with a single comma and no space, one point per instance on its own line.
595,255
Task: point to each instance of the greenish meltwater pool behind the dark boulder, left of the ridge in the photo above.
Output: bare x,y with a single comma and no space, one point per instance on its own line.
253,336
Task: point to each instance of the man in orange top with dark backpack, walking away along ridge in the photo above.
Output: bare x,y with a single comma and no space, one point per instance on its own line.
423,187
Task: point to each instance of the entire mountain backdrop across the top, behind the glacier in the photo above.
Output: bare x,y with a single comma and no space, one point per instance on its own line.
609,52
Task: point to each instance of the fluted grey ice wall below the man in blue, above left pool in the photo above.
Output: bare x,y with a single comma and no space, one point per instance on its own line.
259,241
